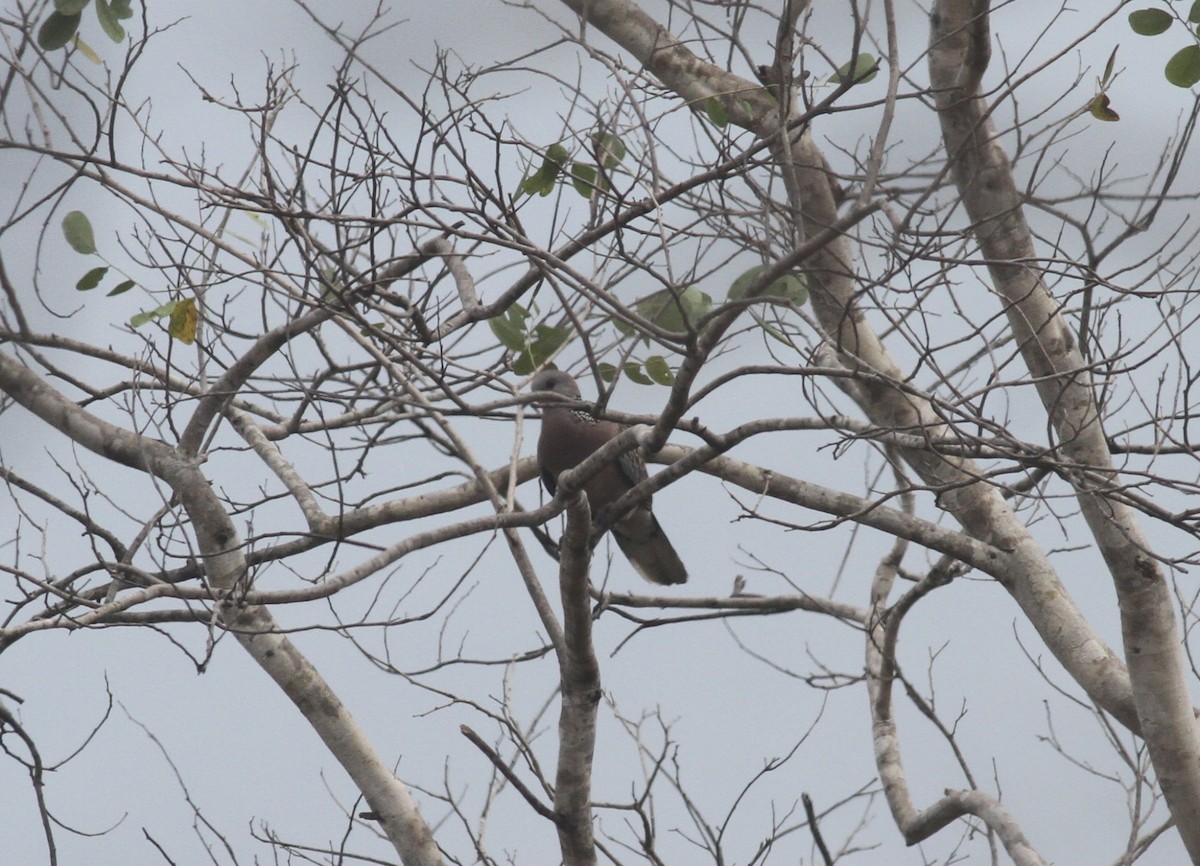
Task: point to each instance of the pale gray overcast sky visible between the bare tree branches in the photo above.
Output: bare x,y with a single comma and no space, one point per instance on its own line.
248,757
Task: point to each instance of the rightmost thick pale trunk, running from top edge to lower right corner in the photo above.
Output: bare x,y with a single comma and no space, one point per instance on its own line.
959,53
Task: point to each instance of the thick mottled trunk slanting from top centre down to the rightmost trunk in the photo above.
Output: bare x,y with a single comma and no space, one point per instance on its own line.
979,507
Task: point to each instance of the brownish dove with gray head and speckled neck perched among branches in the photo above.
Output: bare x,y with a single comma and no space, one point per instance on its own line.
572,436
